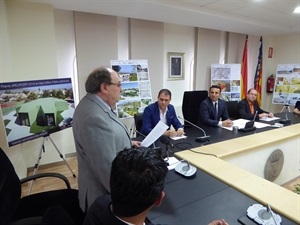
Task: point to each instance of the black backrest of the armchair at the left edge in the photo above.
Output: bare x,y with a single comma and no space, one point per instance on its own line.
10,189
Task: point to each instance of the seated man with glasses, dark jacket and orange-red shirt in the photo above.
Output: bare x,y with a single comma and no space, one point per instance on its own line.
249,105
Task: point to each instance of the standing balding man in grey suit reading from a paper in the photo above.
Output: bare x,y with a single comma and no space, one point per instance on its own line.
98,134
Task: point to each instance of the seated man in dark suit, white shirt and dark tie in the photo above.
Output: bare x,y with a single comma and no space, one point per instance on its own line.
213,110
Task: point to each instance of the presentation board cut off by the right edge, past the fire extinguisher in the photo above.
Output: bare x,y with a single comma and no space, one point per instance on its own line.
287,84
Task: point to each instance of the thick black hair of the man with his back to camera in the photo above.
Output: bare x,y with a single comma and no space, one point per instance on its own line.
137,180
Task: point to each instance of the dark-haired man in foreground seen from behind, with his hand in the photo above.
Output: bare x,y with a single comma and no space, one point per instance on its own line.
137,183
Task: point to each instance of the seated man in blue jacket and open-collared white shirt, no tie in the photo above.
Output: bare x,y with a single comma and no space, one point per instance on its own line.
164,111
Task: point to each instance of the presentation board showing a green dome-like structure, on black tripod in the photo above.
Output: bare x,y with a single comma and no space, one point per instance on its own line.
36,108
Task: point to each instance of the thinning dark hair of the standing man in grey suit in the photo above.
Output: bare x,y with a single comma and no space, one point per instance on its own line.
96,78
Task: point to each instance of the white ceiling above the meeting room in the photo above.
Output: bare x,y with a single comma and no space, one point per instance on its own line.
253,17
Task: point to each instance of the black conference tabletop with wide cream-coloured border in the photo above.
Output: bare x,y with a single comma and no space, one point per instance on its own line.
220,189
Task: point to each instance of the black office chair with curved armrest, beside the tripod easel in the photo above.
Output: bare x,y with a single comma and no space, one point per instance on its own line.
29,210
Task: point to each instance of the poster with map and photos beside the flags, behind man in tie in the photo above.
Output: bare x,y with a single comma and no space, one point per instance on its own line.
228,77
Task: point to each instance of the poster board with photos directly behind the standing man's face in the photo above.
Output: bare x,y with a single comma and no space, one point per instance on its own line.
136,88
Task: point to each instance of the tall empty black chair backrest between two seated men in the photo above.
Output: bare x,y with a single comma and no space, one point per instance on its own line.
191,103
